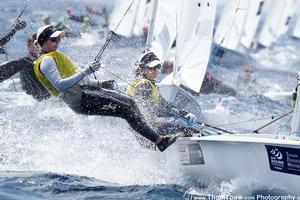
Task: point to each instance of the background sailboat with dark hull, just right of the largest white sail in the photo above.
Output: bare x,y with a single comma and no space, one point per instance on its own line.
236,28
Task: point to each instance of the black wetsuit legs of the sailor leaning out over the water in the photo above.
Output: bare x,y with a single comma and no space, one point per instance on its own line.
108,103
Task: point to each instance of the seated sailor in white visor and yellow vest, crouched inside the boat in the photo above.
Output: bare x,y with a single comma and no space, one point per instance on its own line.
146,93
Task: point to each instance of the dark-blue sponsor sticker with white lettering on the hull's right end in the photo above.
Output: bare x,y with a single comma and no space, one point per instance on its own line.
284,159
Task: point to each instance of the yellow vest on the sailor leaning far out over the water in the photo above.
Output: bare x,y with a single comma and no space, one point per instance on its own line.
65,67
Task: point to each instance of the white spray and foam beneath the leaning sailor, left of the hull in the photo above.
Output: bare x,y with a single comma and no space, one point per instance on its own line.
50,137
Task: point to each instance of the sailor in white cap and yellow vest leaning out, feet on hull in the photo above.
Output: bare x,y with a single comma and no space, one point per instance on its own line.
61,77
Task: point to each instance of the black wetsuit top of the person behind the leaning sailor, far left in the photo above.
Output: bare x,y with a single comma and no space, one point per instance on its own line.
30,84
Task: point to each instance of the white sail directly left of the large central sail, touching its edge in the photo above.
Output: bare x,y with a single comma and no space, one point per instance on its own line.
164,30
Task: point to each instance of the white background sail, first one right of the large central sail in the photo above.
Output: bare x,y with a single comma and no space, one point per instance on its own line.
230,27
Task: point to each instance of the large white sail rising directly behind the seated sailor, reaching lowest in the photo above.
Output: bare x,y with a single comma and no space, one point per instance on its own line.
193,42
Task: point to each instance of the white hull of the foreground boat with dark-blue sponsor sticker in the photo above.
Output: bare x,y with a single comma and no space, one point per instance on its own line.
225,157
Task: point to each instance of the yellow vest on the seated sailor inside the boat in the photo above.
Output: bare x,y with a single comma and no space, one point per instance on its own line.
131,89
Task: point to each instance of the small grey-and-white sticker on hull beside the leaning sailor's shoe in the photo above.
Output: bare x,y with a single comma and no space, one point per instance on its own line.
190,154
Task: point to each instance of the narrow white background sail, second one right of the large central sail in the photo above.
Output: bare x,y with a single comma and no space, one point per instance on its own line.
251,23
